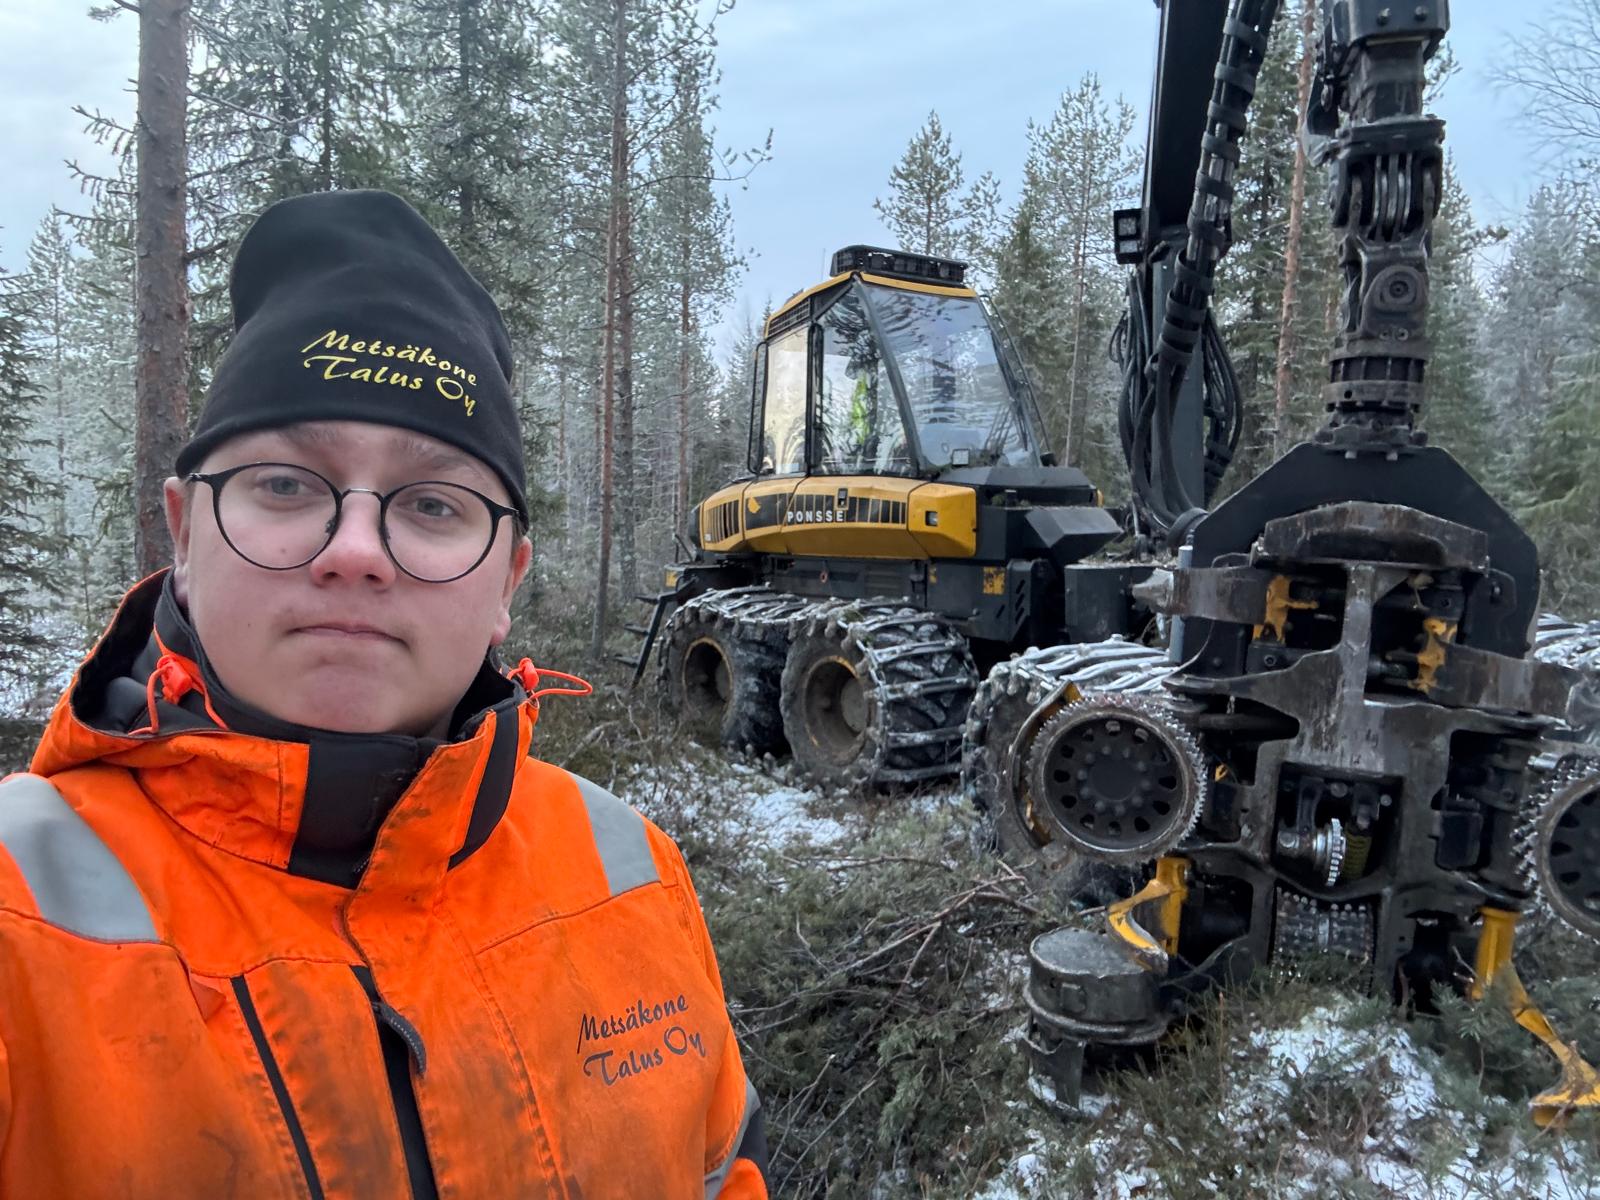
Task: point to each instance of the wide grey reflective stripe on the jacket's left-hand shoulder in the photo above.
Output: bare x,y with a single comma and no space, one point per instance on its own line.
78,884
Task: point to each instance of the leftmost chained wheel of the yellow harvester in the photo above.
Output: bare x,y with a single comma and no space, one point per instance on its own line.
722,682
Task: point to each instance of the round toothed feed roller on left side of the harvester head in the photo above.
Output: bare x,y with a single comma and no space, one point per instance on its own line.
1119,778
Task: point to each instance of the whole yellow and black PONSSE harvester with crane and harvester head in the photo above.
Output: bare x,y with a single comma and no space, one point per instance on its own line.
1358,740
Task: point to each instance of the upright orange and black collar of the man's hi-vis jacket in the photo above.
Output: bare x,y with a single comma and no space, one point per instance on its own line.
306,801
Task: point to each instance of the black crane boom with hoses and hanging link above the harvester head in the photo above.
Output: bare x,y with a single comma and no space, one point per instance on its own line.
1385,161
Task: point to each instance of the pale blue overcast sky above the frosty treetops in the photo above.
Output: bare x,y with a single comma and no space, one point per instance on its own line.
842,86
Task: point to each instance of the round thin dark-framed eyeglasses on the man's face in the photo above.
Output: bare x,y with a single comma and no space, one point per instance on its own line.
279,516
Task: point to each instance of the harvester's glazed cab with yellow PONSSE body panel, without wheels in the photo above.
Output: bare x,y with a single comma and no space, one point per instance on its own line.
887,409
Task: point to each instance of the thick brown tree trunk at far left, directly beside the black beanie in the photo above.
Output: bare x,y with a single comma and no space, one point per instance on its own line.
161,287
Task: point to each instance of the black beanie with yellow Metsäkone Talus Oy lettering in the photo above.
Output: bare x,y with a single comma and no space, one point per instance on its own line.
348,306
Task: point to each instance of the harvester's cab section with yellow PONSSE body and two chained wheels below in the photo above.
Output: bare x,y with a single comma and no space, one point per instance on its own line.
902,527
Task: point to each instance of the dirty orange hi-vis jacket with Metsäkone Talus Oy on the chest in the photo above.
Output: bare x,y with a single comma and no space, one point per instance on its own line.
503,988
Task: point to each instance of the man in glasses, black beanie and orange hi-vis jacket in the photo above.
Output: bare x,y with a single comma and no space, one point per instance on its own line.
287,910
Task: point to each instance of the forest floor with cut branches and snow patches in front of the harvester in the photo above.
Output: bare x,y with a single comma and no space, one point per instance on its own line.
874,954
